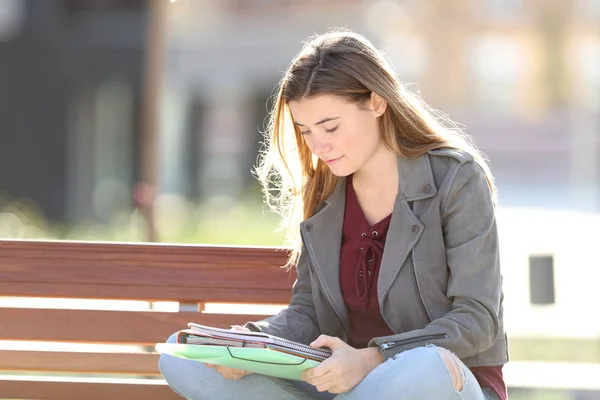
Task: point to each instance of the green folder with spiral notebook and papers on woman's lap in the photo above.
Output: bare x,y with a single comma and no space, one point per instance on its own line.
249,351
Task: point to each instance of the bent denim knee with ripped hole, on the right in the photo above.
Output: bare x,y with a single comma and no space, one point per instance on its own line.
414,375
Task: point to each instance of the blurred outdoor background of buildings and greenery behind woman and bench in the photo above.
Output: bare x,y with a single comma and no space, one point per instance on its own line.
136,120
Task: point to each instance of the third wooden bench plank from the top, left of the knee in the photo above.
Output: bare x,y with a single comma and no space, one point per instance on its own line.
145,364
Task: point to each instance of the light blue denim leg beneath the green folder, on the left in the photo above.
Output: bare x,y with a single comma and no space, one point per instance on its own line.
194,381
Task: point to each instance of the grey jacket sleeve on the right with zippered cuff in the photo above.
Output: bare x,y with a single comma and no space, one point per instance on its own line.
474,283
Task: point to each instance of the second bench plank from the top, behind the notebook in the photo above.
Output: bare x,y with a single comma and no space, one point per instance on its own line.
114,327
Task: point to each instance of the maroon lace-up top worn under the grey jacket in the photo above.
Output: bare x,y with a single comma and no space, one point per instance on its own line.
360,260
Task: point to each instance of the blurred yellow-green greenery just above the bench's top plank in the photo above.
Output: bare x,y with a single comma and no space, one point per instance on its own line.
214,221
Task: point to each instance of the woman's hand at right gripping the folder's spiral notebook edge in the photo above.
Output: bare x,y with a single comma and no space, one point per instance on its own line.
346,367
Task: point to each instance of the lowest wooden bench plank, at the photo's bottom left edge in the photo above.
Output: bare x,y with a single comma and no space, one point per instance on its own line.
64,389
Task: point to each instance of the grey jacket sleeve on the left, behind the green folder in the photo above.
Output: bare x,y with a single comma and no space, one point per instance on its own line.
298,321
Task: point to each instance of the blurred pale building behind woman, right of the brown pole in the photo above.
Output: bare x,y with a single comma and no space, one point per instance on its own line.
522,75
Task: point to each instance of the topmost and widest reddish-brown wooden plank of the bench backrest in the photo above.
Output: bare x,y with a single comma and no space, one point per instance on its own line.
111,270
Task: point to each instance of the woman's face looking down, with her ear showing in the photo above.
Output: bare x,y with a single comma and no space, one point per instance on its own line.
343,134
